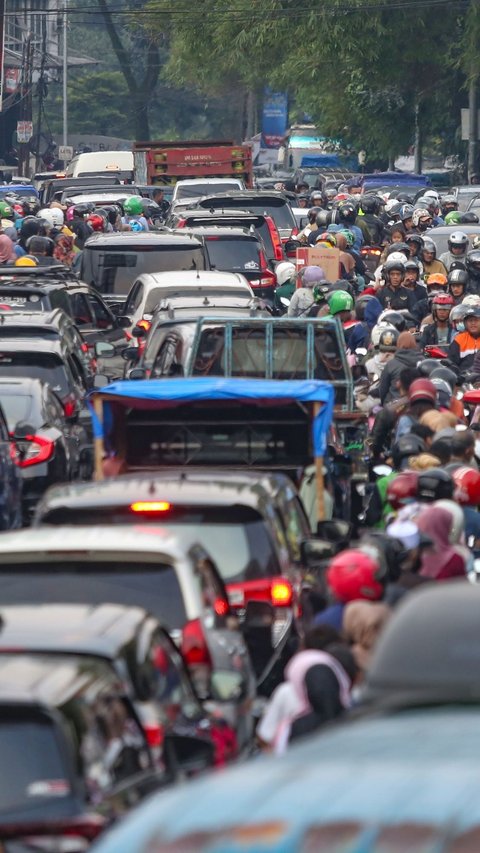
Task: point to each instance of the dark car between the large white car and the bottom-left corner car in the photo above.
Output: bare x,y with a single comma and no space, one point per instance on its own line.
135,647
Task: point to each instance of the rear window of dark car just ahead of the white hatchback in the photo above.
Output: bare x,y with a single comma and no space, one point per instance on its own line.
115,270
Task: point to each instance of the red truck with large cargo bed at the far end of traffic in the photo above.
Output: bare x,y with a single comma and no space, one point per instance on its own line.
165,163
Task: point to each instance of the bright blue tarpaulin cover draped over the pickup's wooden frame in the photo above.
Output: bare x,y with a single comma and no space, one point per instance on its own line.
160,393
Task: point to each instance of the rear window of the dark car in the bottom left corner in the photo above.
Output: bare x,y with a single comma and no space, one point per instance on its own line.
36,771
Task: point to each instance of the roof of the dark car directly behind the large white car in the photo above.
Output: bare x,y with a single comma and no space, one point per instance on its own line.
101,629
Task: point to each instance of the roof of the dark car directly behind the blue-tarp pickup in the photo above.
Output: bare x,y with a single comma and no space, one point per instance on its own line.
202,486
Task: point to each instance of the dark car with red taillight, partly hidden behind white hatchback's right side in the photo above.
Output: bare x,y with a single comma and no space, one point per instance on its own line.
237,250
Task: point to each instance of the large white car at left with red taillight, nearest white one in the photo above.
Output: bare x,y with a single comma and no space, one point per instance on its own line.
143,566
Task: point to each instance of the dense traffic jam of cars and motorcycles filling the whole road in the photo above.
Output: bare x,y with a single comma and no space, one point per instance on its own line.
240,539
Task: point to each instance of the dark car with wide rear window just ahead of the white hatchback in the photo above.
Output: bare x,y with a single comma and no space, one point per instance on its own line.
113,262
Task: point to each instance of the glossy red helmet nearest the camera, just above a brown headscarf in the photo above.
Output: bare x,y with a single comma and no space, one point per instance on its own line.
352,574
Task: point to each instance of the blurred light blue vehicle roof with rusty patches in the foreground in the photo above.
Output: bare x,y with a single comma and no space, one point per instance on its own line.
383,783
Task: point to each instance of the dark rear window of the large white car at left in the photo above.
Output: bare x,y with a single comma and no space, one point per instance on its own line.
153,586
